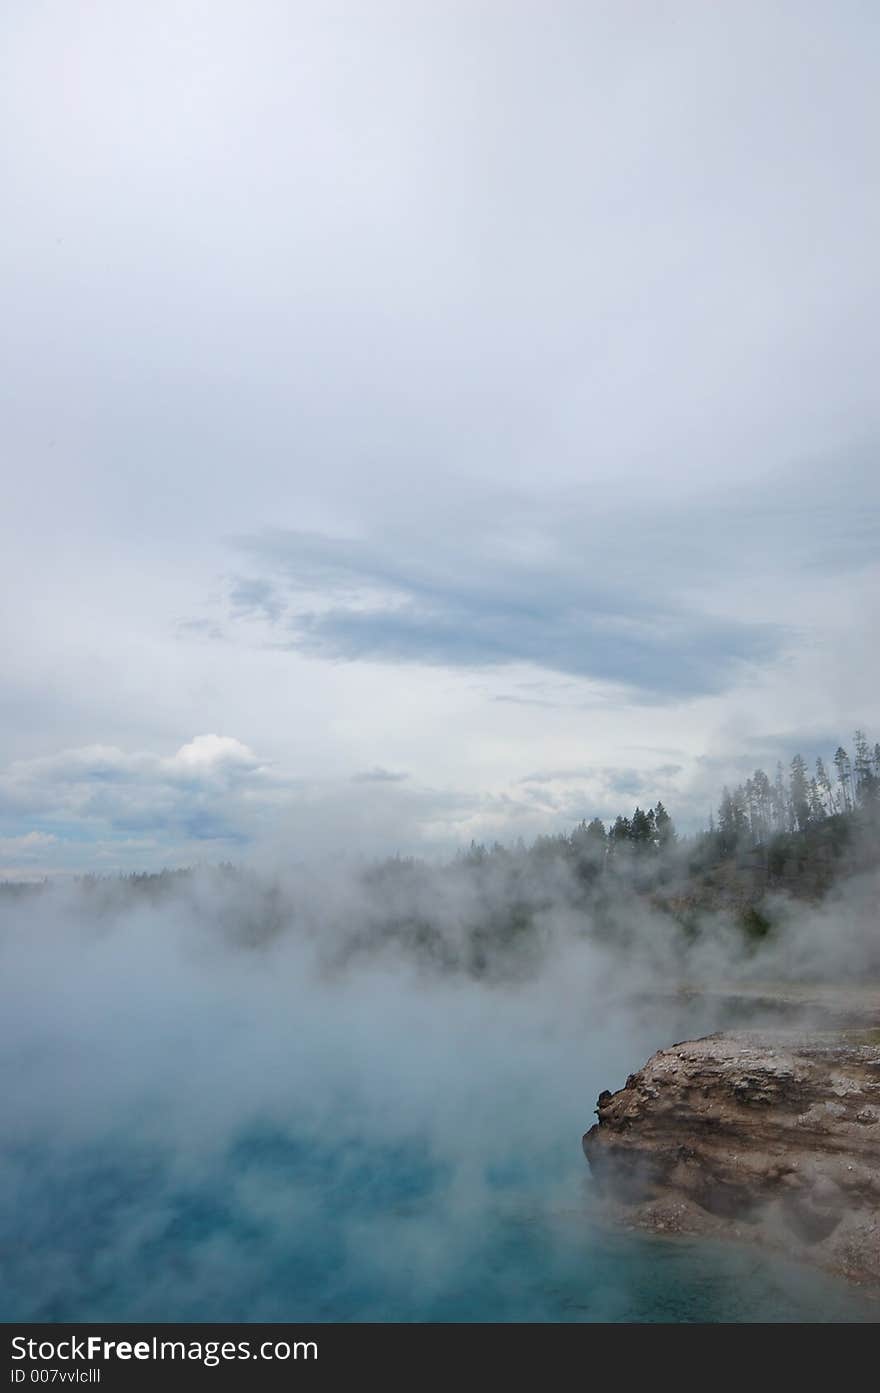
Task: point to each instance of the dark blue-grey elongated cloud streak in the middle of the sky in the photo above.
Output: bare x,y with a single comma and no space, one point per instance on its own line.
371,601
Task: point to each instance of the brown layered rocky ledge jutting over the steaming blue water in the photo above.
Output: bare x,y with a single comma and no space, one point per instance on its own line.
762,1137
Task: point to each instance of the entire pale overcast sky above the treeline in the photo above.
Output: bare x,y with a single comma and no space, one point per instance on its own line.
428,420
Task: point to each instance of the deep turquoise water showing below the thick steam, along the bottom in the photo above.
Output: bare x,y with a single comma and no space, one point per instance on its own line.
288,1231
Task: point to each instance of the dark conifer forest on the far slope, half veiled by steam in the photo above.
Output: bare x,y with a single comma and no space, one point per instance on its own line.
496,910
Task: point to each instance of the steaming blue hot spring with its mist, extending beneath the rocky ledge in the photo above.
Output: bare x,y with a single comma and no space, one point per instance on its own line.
212,1115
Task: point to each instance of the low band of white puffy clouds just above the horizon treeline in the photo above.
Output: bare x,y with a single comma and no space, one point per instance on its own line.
104,809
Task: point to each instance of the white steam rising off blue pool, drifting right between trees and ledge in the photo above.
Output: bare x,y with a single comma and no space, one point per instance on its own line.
249,1098
